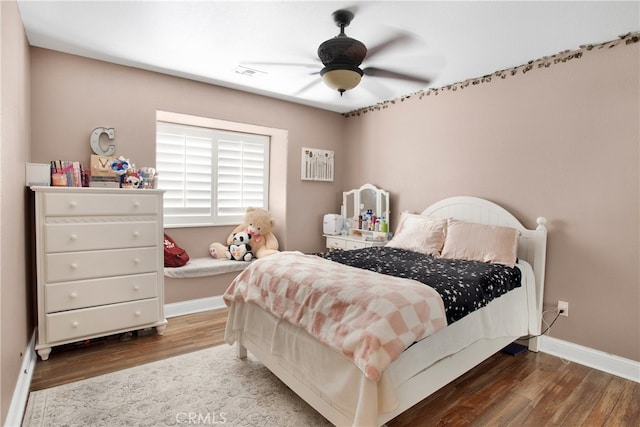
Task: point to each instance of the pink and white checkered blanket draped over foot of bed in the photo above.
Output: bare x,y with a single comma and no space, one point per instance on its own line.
369,317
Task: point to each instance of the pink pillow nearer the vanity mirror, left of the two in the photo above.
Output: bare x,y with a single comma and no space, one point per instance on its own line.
419,233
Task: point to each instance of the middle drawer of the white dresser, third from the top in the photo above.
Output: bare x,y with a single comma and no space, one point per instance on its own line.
63,267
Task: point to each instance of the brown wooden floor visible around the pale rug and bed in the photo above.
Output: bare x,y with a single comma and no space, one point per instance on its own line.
534,389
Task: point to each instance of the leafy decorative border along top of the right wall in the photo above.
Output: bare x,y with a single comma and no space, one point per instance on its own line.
544,62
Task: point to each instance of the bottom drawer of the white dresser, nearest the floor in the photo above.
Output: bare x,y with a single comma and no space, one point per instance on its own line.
68,325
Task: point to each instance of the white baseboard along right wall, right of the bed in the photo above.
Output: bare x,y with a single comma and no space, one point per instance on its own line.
619,366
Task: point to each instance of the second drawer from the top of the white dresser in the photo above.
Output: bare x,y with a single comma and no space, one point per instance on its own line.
71,237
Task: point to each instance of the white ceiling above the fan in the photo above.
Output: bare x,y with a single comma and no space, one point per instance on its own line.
209,40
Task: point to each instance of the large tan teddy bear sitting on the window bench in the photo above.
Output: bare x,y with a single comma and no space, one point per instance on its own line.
258,223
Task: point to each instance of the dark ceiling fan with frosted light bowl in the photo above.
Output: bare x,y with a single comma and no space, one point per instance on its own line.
343,55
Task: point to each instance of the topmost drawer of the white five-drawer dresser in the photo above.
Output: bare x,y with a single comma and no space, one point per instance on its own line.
71,204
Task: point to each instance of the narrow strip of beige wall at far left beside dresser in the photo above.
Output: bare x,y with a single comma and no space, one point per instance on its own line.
16,325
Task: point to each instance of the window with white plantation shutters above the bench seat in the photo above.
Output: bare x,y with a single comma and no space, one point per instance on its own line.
210,175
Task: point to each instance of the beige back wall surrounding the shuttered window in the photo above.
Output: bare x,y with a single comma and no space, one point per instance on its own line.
73,95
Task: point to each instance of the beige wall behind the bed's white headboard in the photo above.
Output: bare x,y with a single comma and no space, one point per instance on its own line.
561,142
